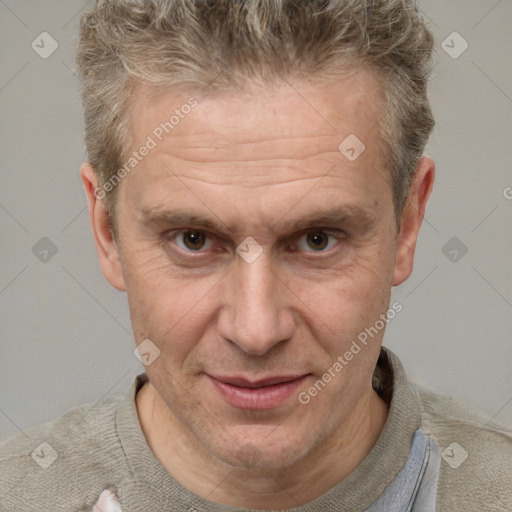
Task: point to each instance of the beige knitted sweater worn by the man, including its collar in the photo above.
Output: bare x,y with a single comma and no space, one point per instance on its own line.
65,464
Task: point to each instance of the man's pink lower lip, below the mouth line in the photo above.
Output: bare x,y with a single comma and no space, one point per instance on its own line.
267,397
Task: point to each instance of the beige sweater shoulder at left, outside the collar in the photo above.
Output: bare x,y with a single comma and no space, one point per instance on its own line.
46,465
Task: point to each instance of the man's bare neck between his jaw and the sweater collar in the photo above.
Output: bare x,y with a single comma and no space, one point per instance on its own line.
332,460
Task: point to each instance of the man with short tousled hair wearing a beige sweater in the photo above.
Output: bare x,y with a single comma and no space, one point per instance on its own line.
256,184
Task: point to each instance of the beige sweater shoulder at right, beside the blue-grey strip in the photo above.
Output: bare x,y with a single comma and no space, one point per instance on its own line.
476,453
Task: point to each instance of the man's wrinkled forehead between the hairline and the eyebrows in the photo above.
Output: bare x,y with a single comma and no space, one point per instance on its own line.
267,142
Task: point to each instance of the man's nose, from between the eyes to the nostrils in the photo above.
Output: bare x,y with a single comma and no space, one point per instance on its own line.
256,314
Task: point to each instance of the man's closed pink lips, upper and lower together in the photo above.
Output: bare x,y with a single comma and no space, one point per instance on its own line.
267,393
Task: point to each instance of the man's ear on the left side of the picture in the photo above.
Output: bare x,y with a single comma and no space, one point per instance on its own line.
108,250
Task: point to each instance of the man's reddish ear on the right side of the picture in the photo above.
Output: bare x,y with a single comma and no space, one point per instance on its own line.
412,217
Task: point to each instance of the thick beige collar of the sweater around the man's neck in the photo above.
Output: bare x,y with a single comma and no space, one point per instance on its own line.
356,492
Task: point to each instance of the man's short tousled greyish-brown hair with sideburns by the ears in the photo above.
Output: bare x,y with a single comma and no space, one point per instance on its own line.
222,44
